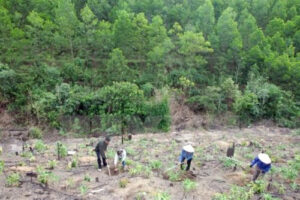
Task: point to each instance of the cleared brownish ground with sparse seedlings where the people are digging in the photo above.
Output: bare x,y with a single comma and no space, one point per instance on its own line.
142,182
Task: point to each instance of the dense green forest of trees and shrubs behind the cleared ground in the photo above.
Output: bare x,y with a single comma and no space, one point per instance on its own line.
121,60
